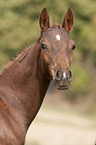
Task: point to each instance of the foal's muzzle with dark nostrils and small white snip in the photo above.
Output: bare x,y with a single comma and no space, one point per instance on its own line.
62,79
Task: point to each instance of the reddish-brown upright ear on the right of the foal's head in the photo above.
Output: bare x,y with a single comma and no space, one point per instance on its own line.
68,21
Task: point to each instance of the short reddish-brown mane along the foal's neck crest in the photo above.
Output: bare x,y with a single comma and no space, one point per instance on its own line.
19,58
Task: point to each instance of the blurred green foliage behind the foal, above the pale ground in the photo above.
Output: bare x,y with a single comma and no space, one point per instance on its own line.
19,28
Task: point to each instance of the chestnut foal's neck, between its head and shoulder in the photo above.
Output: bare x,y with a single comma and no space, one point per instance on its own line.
25,85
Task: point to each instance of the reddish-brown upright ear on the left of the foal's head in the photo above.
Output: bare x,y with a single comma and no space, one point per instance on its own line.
44,19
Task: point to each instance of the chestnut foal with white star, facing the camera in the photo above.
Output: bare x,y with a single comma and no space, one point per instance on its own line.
24,83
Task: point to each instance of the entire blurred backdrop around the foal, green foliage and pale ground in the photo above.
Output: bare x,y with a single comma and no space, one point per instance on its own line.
19,28
